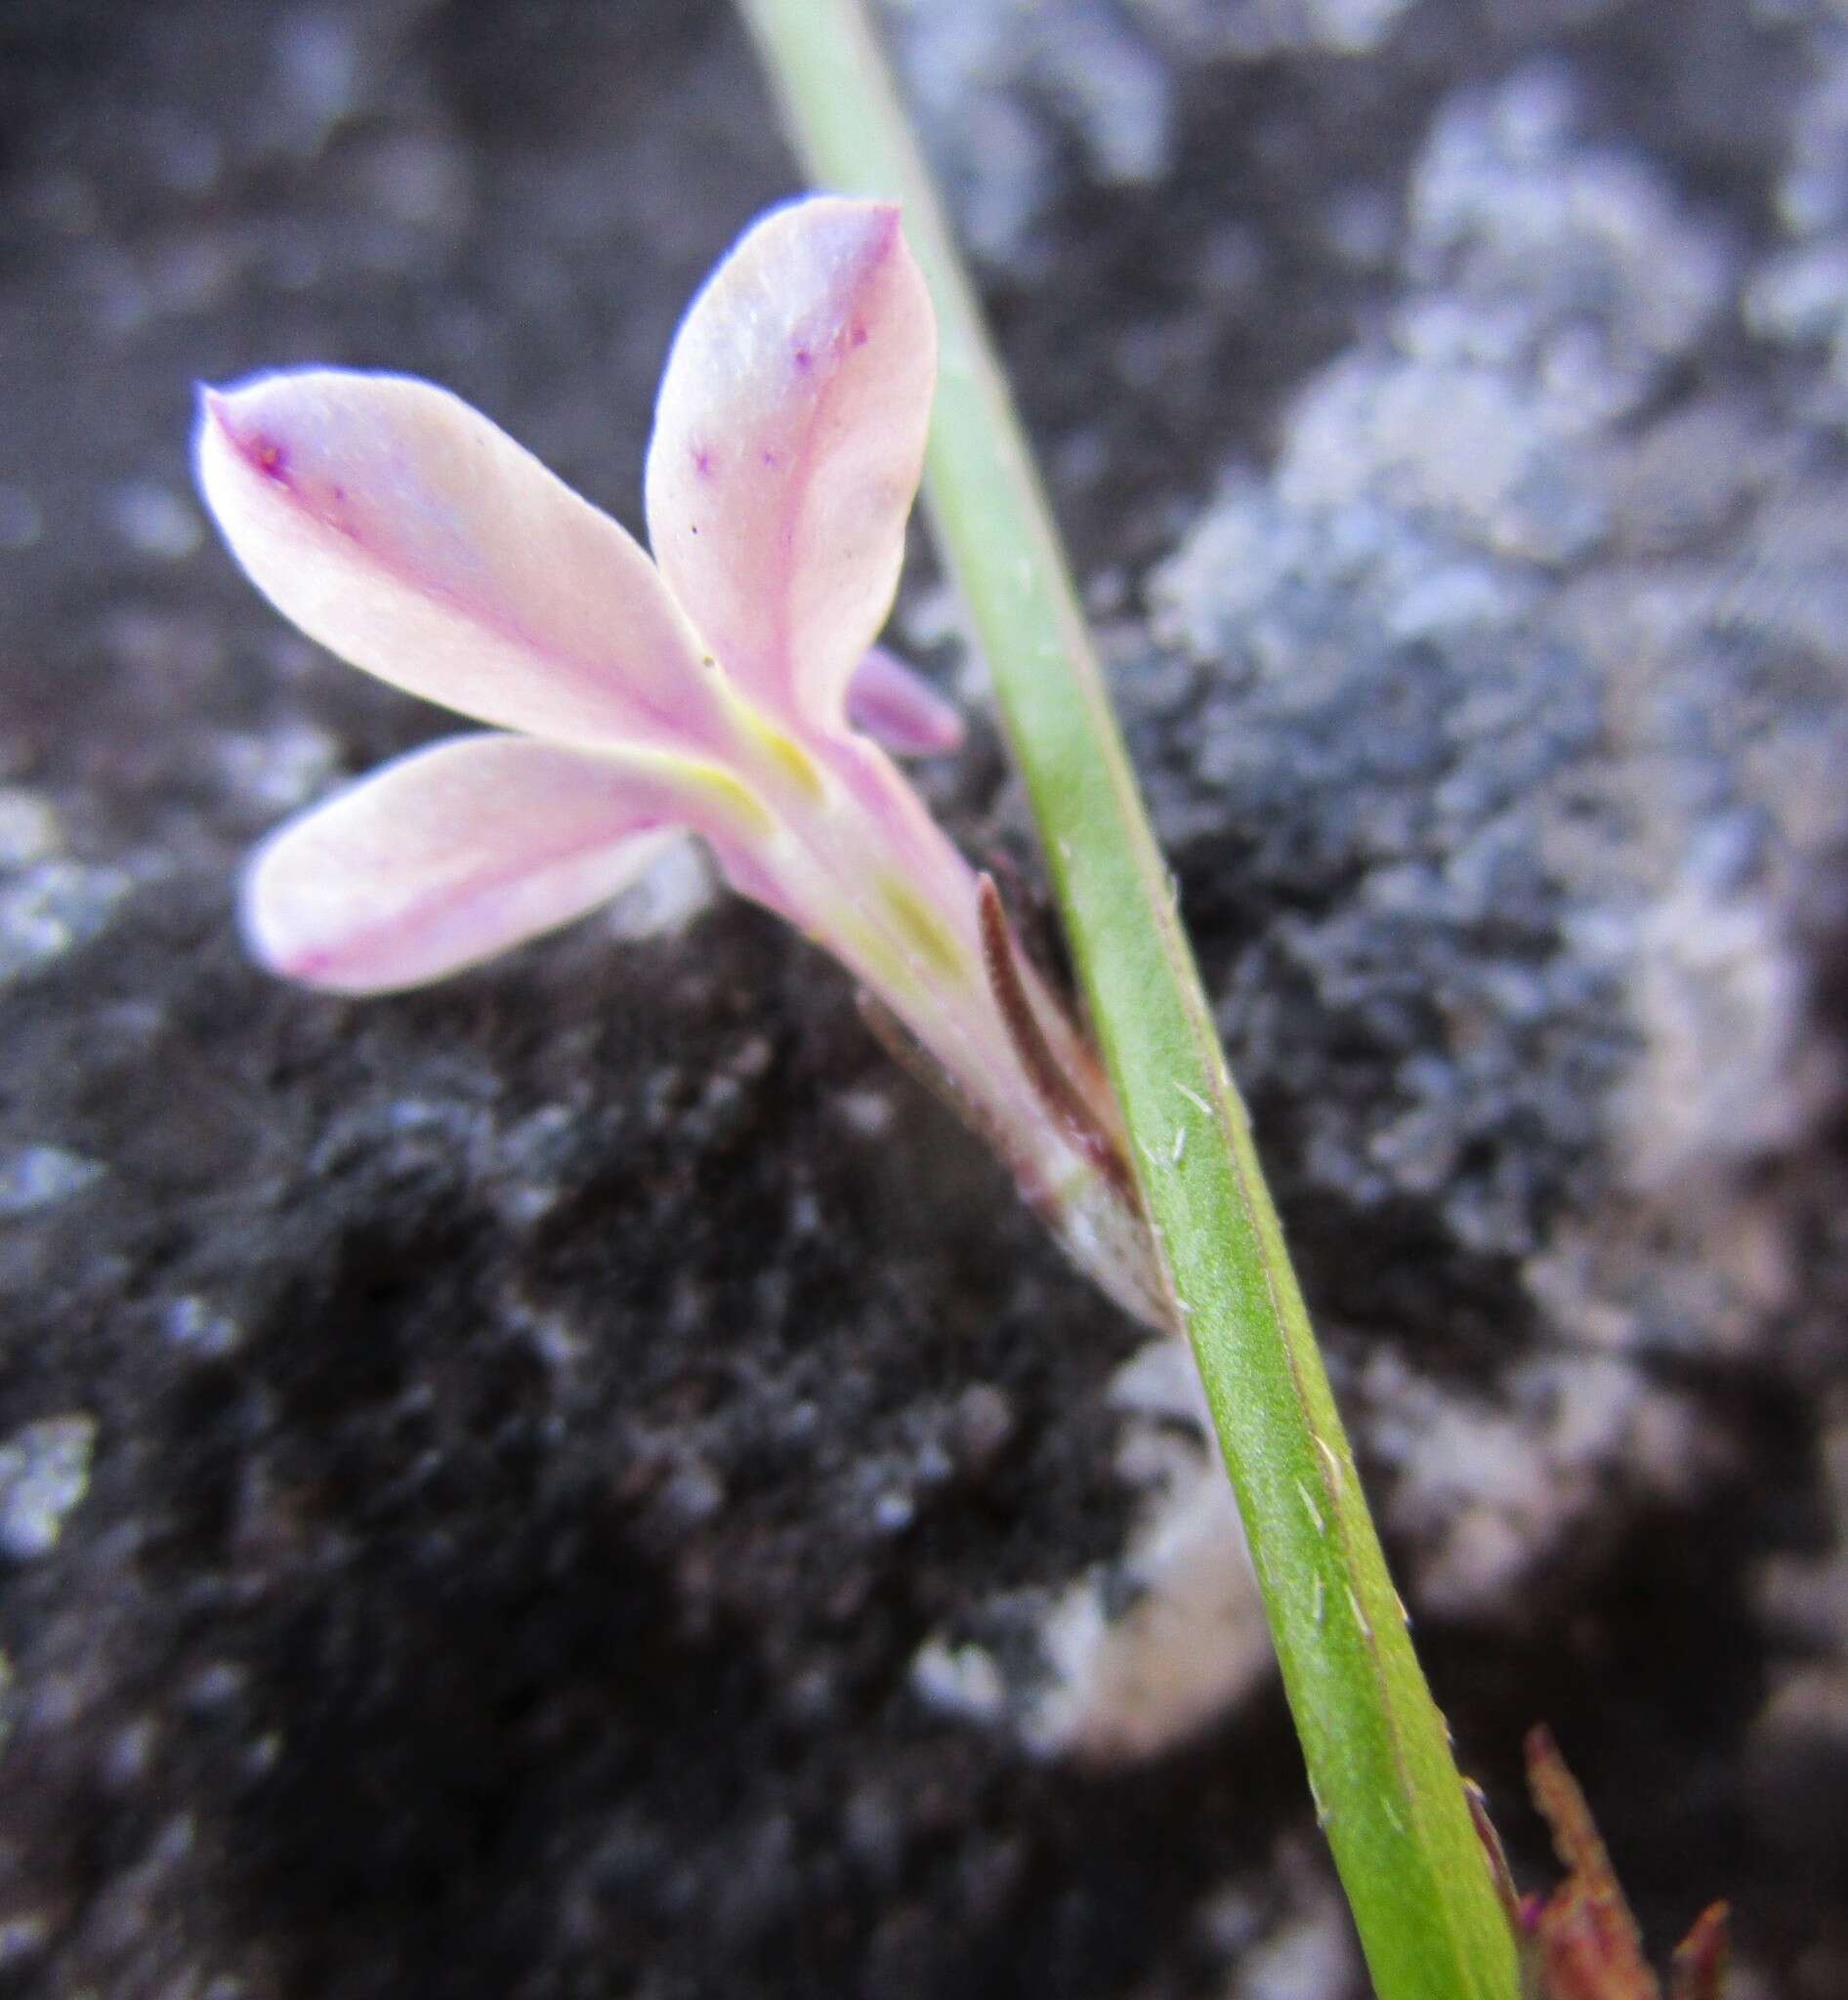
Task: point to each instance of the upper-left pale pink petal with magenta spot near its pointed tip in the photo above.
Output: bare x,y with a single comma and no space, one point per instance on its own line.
403,531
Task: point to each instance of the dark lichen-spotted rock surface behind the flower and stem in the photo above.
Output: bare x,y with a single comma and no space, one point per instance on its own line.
573,1483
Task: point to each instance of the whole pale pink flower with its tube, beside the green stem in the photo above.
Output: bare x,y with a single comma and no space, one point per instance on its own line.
729,687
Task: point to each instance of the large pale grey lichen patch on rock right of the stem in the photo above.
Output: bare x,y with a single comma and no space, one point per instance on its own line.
1483,677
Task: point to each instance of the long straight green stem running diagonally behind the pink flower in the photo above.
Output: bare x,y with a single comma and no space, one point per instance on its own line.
1389,1795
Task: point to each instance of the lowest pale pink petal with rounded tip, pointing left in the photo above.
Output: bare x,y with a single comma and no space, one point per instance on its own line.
449,857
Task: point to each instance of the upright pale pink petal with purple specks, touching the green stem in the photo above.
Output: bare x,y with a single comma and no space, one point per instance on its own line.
787,447
